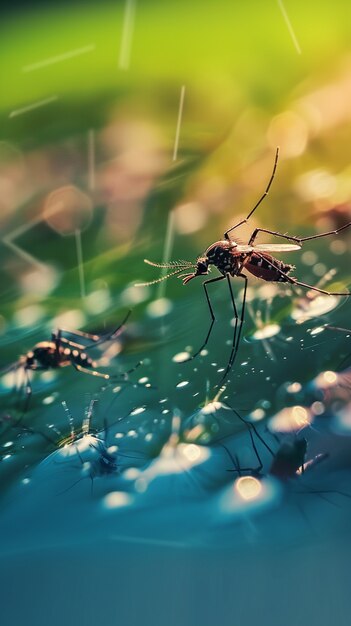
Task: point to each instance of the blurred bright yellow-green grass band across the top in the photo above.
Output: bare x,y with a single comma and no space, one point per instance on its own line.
225,52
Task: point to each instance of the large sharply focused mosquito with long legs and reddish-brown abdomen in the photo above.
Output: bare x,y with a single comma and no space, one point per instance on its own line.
232,258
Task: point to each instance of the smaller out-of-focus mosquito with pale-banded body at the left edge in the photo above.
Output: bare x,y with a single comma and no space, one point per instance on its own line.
60,352
